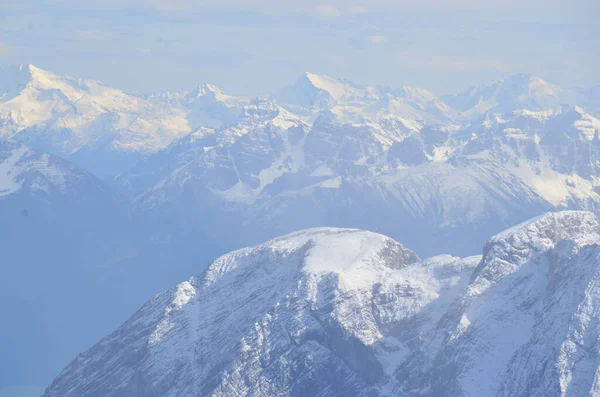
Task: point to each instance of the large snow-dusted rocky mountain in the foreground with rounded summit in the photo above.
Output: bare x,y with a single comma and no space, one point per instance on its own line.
345,312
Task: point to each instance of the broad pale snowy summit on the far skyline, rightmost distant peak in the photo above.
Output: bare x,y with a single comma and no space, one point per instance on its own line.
516,92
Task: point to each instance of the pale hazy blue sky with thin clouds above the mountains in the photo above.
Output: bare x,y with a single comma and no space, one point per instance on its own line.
253,47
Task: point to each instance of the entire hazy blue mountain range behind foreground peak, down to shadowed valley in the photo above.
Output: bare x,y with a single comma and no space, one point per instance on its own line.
120,189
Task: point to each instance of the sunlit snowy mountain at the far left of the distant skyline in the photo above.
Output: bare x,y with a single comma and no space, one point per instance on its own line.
103,129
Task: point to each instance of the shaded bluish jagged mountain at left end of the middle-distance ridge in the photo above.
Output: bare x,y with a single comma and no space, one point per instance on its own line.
236,161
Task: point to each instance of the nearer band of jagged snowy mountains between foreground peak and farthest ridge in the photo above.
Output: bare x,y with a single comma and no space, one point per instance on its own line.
443,181
